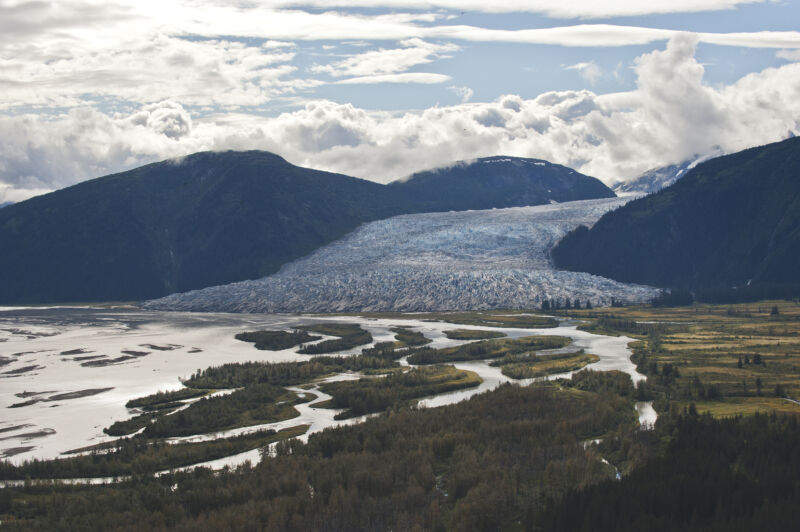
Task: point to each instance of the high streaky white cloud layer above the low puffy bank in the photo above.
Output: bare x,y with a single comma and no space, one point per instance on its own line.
56,55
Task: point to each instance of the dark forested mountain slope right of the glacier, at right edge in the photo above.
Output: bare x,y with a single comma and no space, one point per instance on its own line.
731,221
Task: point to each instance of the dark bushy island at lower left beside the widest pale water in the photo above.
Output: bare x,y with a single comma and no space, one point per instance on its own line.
255,404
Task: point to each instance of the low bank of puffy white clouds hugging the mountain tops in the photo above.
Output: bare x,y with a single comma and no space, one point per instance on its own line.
671,116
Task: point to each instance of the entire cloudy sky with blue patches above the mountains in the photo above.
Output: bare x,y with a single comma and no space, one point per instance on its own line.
379,90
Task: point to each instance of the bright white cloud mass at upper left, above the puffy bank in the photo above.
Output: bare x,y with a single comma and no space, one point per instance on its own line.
194,72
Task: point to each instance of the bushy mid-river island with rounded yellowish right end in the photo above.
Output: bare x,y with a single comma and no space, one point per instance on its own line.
369,395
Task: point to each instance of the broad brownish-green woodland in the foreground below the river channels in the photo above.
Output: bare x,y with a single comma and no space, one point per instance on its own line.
485,464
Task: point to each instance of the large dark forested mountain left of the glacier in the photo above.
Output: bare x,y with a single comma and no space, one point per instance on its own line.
206,219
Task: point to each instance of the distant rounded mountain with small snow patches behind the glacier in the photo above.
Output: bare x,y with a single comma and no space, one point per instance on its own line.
495,182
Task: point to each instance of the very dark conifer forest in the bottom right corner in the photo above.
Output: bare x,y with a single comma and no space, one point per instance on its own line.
707,480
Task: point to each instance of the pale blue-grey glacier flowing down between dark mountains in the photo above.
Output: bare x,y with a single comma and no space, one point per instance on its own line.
465,260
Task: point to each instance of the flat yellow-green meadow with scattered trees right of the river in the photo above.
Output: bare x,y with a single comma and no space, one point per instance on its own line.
726,359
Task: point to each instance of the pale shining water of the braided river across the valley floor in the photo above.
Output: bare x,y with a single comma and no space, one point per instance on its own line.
43,418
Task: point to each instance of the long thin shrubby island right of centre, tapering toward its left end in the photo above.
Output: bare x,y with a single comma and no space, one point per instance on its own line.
487,349
